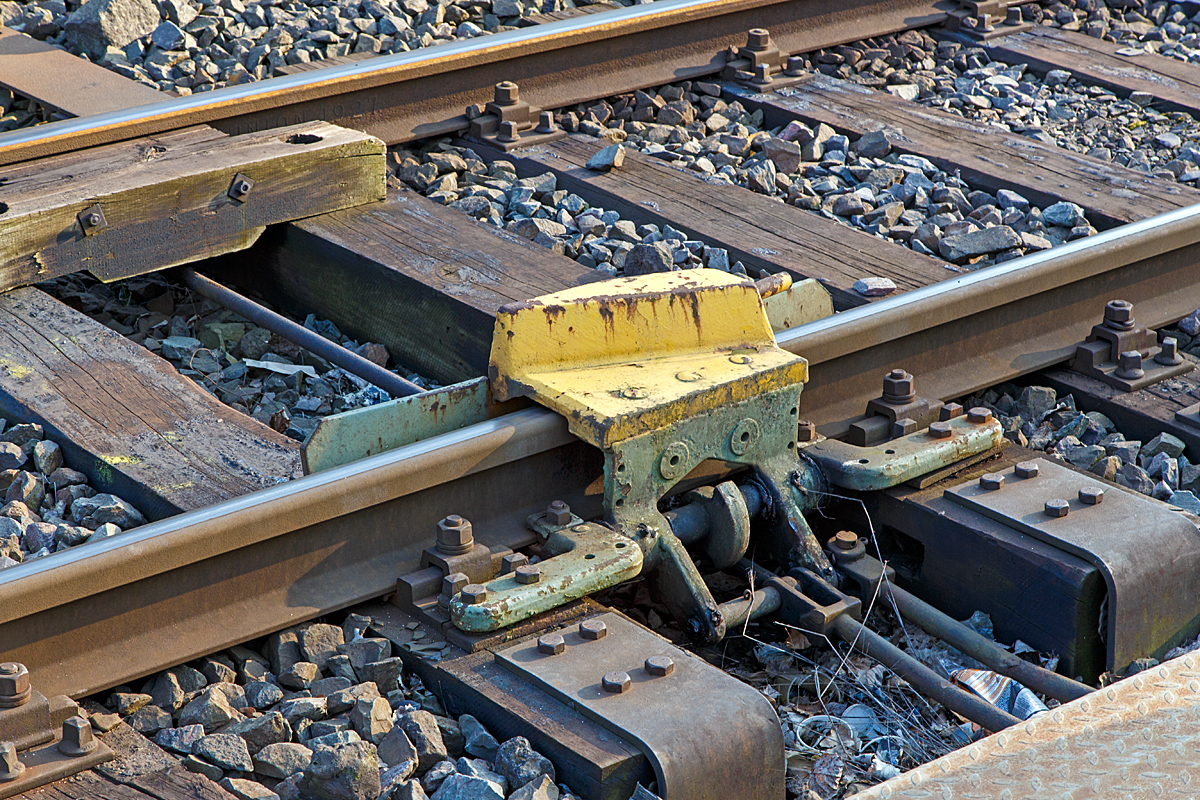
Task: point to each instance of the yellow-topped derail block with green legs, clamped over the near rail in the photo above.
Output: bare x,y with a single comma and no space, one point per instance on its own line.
663,372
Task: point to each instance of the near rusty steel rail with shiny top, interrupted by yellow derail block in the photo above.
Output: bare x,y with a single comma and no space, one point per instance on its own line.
103,615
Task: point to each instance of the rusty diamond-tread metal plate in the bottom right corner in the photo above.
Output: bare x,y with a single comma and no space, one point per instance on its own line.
1135,741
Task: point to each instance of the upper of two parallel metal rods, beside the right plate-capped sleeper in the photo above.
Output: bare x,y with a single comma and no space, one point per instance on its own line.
983,649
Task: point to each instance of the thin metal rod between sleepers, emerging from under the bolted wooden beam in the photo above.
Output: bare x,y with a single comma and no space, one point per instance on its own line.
302,336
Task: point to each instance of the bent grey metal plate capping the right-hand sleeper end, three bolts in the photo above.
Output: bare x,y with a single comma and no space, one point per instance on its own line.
1149,555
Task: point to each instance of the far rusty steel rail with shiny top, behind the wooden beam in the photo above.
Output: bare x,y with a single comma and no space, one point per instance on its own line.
427,93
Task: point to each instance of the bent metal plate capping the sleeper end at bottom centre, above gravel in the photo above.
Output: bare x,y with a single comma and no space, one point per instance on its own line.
698,715
